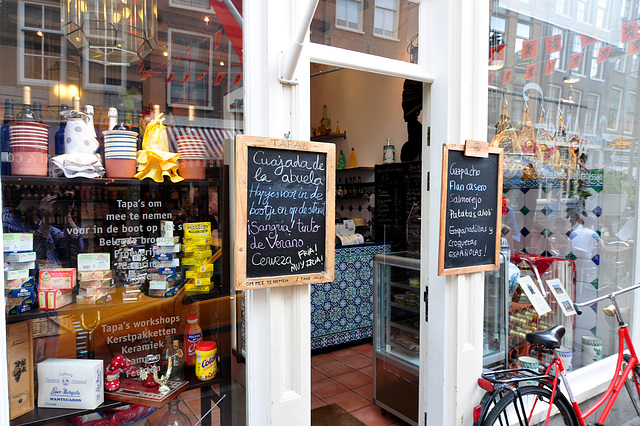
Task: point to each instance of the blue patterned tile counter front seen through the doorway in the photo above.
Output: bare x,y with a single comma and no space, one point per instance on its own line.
342,310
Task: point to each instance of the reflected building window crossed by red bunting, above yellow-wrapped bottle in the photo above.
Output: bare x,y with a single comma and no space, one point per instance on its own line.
190,67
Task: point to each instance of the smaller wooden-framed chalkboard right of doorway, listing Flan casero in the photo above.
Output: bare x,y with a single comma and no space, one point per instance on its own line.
470,209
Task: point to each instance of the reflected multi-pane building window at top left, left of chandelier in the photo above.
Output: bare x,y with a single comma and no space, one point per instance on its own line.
41,43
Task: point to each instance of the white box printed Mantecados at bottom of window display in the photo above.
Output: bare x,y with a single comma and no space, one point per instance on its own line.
70,383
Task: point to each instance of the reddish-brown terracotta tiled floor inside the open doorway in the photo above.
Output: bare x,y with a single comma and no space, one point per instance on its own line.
345,377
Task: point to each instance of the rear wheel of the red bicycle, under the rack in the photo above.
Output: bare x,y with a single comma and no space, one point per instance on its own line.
507,413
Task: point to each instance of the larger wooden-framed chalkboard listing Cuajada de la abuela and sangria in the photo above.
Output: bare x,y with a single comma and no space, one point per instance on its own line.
285,212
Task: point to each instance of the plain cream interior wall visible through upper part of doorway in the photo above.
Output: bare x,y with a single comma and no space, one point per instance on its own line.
367,106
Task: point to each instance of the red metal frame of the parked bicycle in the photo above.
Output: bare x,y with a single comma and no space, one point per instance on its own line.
614,388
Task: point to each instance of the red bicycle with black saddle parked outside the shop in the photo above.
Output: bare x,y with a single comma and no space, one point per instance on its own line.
522,396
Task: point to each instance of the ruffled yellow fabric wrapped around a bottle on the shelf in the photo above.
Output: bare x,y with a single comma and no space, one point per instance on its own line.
154,159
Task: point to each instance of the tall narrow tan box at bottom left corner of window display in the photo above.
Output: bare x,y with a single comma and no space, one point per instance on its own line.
20,368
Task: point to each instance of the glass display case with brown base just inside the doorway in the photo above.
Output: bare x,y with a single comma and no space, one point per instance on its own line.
396,336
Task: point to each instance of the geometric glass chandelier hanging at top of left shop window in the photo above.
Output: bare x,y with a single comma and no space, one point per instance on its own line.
111,32
